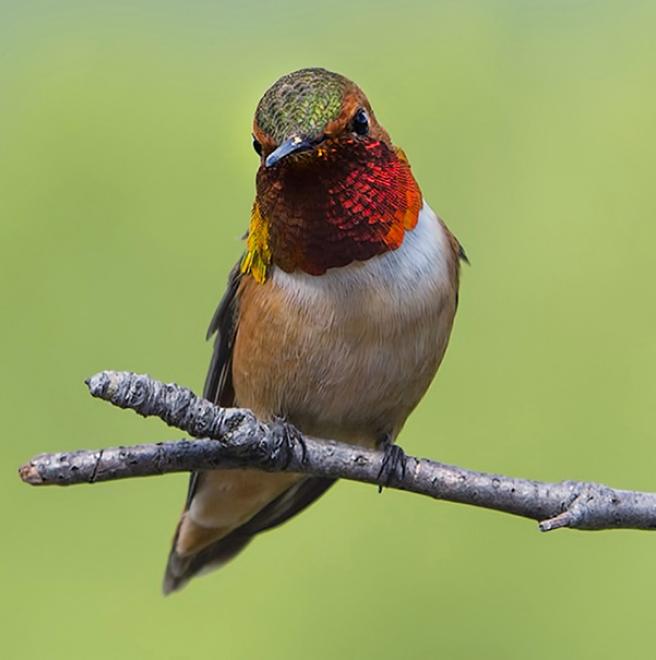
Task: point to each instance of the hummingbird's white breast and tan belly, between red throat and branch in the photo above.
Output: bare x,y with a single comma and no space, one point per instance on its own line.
348,354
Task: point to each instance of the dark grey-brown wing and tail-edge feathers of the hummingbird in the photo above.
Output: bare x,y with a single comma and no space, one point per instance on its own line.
219,389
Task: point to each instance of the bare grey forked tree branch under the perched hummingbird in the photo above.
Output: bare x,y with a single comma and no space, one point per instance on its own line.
229,438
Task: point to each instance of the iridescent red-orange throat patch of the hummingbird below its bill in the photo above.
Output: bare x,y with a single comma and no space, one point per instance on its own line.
348,202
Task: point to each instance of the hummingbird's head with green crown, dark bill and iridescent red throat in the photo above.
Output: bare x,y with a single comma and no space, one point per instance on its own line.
331,187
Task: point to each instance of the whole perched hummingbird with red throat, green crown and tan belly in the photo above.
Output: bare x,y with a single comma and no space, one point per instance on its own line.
337,315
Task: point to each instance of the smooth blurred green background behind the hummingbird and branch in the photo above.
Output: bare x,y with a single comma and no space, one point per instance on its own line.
126,179
